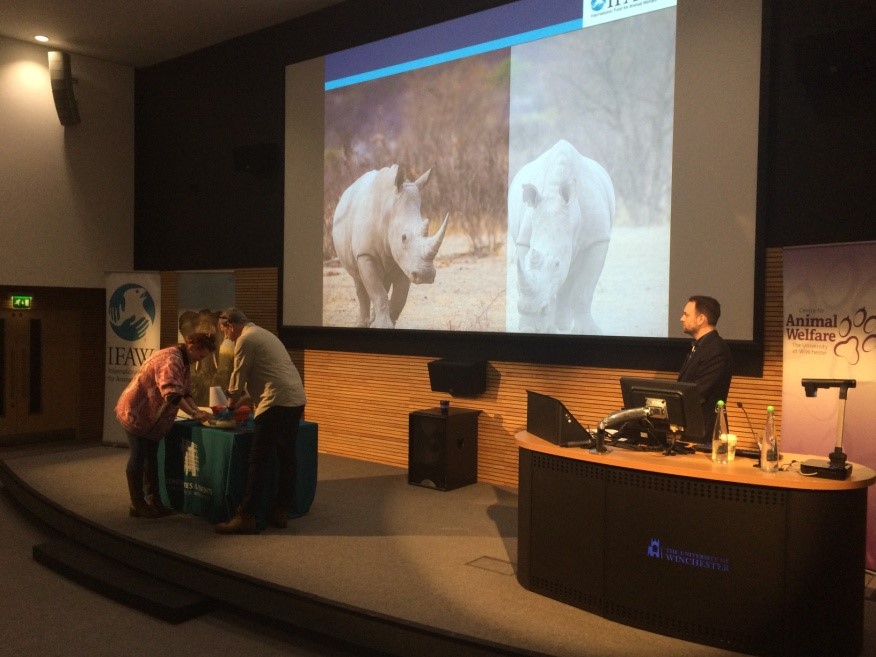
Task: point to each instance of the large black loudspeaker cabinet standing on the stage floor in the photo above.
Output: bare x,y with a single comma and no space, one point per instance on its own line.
443,447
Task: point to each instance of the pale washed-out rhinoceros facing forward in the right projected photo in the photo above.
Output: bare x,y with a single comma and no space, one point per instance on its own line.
560,210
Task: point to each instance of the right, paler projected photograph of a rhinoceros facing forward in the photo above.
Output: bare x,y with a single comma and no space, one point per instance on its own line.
590,162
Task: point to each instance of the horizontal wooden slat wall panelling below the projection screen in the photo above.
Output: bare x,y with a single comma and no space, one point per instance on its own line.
362,401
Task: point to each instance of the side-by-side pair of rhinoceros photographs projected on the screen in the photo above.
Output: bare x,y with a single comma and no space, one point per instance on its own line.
526,189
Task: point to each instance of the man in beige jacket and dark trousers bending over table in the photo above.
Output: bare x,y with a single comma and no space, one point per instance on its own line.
264,376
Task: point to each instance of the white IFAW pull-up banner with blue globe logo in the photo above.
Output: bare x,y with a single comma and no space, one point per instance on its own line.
133,334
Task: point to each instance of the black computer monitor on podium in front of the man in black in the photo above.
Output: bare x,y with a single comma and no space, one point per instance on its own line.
674,405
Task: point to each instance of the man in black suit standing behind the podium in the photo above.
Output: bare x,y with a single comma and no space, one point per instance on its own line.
709,363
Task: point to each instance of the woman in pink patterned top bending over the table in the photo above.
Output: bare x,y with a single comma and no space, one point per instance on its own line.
147,409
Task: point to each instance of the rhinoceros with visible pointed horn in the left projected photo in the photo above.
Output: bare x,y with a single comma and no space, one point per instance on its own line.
382,241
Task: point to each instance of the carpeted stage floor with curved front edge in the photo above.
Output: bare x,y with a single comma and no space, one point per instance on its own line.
430,560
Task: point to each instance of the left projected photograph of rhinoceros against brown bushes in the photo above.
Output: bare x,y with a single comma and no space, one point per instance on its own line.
415,199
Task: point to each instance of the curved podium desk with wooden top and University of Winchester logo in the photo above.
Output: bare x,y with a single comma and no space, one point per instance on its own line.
724,554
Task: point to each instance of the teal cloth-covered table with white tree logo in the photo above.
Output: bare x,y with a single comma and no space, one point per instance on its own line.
203,470
